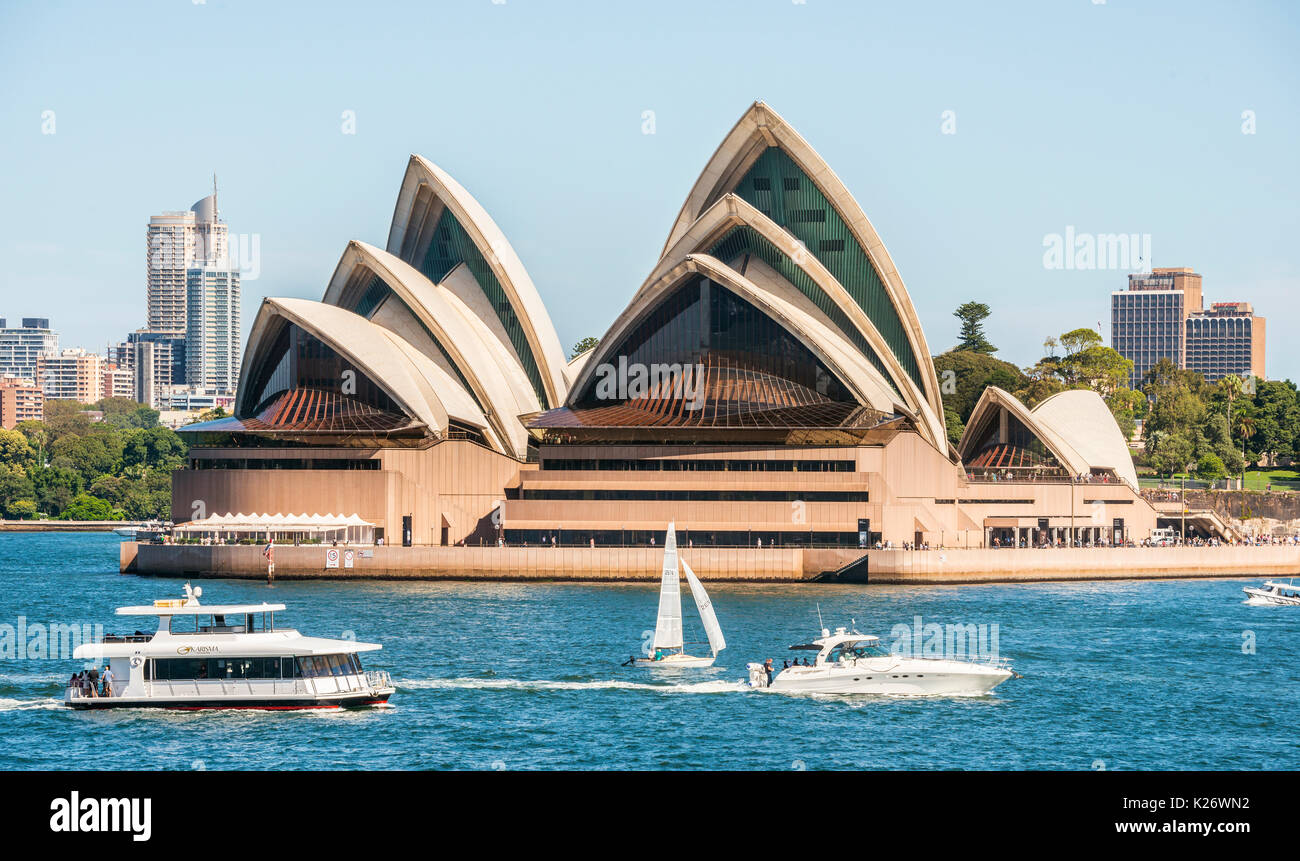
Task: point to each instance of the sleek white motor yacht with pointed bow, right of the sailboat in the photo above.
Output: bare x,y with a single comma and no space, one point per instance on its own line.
852,663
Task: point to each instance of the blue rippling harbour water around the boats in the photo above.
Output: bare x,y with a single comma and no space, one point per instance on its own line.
1128,676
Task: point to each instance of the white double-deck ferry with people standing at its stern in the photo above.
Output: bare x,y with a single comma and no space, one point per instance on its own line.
224,657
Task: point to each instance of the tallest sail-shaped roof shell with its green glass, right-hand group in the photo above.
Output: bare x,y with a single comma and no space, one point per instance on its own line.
768,163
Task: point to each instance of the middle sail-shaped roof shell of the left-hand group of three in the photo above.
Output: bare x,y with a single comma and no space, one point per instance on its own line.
396,296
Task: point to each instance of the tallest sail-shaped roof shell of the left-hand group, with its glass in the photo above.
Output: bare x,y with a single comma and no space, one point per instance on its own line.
439,228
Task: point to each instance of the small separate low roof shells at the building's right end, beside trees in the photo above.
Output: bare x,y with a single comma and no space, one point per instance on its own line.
1076,427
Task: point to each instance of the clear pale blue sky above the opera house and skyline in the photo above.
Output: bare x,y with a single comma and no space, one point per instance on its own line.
1116,118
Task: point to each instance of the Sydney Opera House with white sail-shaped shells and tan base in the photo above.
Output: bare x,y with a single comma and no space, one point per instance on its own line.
768,384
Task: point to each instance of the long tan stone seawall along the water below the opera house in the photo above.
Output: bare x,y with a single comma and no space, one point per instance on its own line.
774,565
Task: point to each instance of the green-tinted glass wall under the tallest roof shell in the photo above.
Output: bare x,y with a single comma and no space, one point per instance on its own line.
781,191
